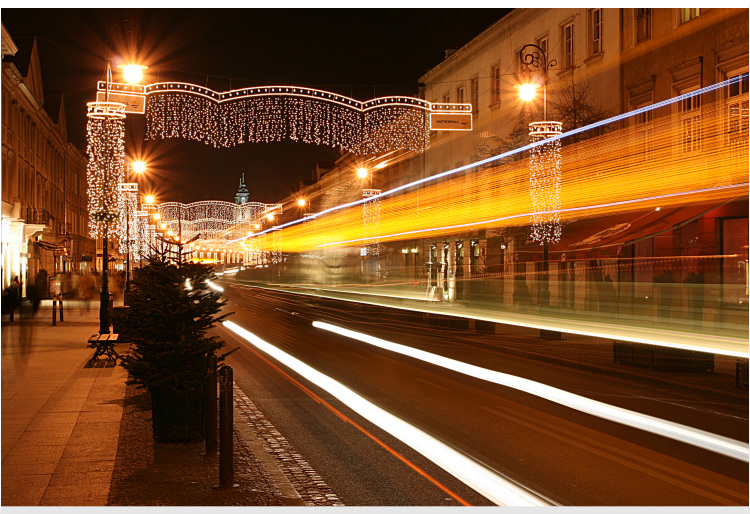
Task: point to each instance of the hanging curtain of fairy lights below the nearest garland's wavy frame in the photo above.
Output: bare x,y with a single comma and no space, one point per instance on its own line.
265,119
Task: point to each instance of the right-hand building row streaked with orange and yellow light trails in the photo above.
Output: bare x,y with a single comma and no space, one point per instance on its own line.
608,63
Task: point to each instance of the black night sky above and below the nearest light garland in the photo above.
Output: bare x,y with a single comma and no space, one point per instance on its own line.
356,52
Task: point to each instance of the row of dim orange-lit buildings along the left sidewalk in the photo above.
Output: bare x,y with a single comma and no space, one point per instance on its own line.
44,216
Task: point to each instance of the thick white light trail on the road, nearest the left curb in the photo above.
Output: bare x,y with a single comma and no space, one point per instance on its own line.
485,481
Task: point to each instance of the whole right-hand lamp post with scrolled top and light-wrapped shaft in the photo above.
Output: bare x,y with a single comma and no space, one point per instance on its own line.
544,163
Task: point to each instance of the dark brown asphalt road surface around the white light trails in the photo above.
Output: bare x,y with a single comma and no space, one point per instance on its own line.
564,456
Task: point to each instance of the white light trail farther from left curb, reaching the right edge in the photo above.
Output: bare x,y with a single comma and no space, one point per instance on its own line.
719,444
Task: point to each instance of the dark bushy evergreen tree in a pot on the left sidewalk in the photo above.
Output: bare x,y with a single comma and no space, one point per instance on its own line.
171,311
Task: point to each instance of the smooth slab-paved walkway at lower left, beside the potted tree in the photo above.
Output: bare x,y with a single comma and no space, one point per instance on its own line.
60,419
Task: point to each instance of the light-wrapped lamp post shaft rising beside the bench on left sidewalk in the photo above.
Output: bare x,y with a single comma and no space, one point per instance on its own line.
106,148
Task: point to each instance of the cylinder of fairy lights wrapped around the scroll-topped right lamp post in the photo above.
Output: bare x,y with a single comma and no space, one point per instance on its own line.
544,181
